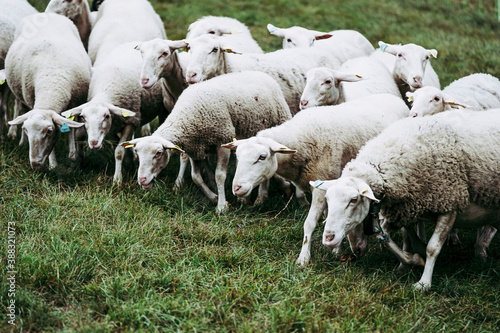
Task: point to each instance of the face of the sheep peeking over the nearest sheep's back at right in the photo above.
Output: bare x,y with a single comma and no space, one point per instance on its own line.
428,101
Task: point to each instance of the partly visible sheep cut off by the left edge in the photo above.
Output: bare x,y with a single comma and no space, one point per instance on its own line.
12,13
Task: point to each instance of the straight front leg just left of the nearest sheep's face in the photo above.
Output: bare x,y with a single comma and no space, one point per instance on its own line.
318,205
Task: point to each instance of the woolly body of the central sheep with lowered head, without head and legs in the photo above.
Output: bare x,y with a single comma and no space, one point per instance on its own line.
216,111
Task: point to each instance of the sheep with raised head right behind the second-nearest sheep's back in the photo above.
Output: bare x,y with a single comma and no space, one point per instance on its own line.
356,78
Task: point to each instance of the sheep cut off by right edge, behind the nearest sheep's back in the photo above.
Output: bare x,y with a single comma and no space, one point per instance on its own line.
476,92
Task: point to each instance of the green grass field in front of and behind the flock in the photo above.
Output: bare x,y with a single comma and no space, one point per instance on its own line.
91,257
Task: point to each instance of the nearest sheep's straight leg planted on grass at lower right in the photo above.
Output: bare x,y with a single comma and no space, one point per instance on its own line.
443,226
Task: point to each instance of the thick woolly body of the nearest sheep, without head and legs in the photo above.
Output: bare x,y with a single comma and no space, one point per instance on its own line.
433,165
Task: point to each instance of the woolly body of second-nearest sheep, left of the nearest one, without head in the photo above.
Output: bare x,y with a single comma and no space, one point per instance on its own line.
328,137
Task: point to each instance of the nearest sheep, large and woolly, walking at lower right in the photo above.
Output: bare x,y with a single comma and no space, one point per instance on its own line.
446,167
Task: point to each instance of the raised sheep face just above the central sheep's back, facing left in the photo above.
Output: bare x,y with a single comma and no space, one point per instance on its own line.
207,58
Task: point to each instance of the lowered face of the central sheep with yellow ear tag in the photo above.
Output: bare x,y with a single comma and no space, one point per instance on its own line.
154,154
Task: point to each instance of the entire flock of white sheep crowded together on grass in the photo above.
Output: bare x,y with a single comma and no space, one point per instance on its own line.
328,113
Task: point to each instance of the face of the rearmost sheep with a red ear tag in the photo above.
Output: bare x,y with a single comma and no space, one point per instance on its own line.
297,36
